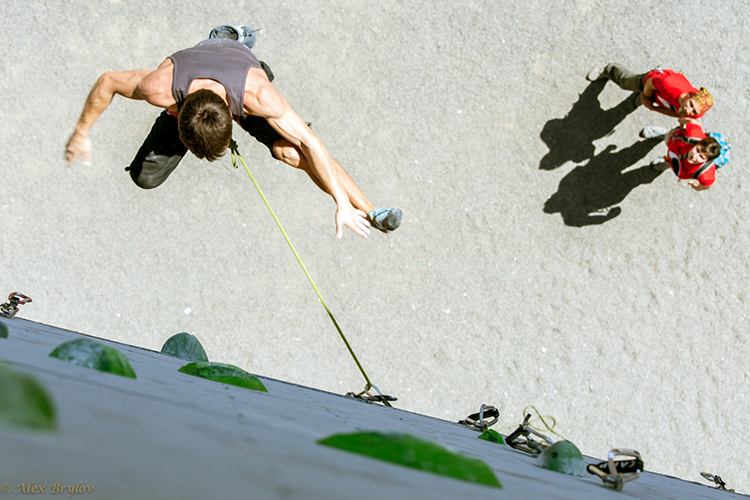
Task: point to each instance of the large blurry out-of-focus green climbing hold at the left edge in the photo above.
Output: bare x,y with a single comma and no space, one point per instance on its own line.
24,402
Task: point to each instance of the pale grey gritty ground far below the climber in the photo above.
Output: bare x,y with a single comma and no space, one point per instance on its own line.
629,326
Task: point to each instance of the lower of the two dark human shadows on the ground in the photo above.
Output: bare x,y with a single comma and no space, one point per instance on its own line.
587,195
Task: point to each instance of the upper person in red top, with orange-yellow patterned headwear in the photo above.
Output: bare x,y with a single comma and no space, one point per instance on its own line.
662,90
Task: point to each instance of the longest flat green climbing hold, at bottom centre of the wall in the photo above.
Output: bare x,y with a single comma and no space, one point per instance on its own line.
411,451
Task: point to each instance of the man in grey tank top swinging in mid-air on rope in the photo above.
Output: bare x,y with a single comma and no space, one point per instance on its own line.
203,89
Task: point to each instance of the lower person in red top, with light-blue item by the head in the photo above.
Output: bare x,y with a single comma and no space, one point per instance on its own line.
690,154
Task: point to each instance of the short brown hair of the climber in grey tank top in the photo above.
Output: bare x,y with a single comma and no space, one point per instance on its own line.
205,124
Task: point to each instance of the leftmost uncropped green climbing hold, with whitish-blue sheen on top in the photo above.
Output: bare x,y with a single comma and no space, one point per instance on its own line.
90,354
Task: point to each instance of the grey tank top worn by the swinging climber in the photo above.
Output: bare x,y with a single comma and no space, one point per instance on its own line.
225,61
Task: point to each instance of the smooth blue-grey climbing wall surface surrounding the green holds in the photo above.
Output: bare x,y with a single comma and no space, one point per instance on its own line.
170,435
